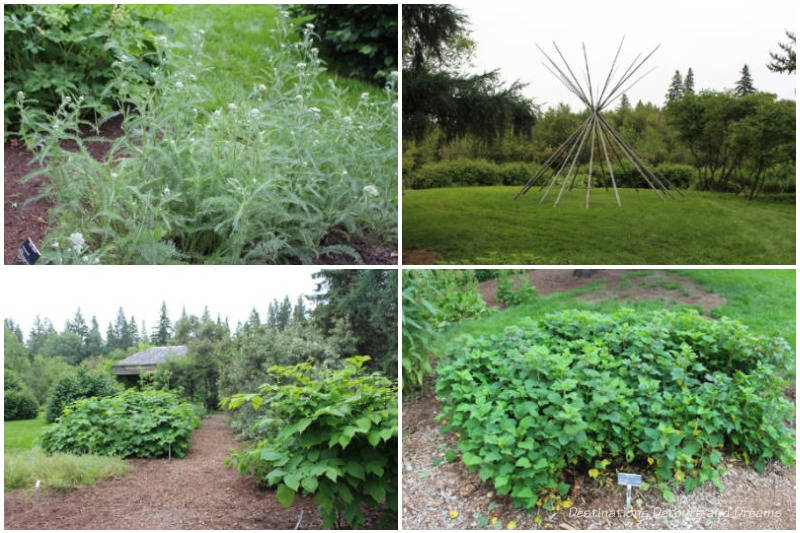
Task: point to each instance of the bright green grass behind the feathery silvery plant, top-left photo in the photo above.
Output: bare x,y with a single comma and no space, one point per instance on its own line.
237,37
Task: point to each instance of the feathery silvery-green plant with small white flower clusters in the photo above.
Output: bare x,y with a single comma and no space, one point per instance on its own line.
264,179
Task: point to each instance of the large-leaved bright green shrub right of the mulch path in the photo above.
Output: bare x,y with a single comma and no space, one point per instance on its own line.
332,434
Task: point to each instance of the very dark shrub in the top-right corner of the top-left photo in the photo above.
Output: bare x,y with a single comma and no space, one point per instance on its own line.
363,37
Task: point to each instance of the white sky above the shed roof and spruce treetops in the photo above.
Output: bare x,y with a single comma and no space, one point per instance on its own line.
56,292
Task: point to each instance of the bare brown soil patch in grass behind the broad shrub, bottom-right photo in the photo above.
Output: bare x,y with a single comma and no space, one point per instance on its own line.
612,284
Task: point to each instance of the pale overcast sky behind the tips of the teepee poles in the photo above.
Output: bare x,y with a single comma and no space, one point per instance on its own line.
713,38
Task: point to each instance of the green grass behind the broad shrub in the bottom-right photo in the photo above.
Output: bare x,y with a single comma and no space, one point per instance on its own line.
764,300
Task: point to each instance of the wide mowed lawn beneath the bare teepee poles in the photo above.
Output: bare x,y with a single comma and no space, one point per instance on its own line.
485,225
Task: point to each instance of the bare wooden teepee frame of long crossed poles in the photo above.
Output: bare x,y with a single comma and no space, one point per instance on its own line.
597,130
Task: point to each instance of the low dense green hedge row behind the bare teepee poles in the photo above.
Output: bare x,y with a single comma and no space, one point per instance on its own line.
467,172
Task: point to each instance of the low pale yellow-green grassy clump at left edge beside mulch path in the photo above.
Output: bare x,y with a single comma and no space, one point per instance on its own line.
23,468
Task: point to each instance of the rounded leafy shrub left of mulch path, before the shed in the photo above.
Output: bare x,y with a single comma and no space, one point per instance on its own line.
131,424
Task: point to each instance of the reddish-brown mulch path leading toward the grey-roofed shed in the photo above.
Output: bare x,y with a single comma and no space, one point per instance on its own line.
196,492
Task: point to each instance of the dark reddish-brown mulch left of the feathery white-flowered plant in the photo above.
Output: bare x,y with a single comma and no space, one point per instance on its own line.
30,220
